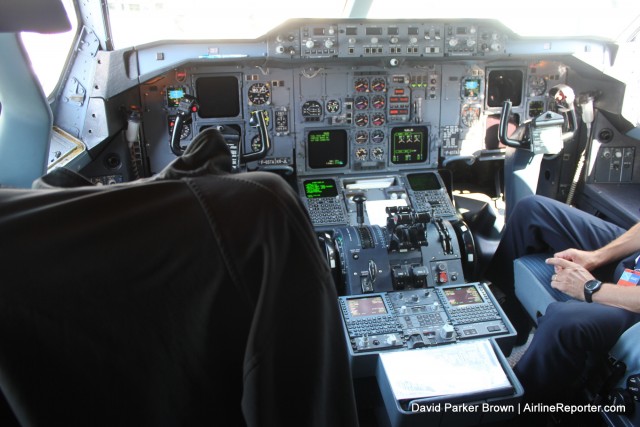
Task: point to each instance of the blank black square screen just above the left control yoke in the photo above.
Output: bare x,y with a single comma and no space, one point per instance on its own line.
218,96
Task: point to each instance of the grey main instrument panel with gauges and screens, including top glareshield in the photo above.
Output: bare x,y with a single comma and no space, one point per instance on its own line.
351,97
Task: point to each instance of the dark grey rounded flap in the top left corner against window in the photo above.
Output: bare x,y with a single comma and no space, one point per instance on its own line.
39,16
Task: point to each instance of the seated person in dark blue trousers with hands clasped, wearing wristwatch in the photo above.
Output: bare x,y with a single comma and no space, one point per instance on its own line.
591,313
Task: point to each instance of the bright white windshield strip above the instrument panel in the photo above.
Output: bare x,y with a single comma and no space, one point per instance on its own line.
248,19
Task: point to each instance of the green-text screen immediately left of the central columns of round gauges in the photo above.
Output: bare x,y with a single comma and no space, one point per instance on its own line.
327,148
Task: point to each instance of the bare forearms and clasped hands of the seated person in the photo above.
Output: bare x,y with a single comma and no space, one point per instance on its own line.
572,268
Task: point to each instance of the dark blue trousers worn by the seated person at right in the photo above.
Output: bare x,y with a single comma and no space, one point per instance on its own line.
568,330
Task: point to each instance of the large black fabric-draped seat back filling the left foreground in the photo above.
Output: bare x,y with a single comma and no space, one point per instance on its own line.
187,299
